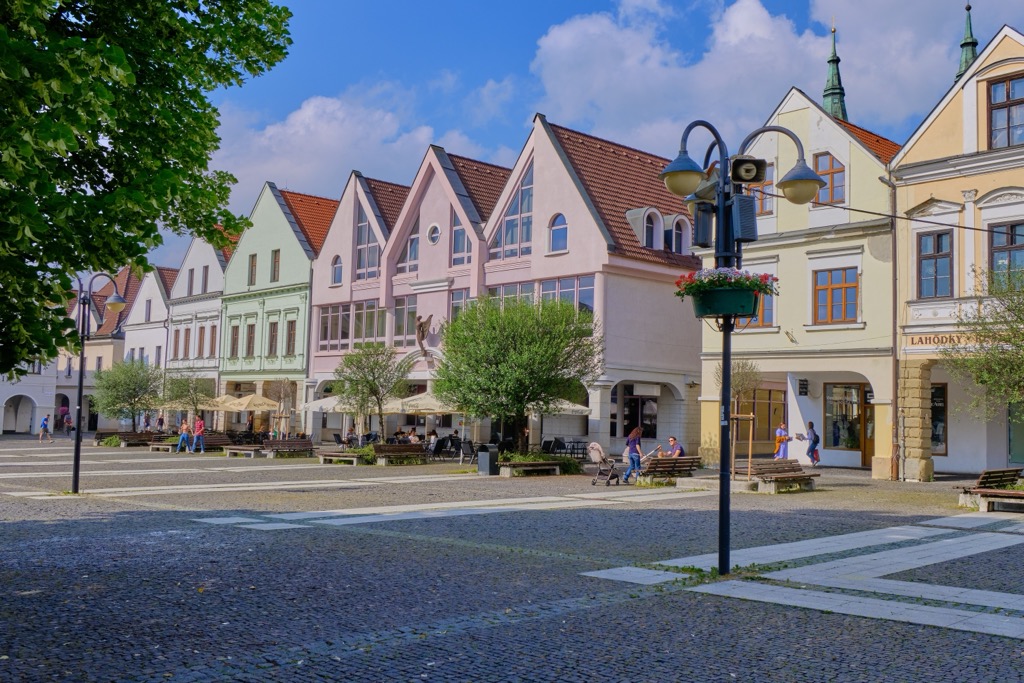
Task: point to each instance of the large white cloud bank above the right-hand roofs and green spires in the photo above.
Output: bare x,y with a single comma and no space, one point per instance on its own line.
620,77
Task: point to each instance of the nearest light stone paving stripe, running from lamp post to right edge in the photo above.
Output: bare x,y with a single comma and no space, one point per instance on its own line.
997,625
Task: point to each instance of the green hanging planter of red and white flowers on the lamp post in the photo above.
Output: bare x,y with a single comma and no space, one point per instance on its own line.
718,292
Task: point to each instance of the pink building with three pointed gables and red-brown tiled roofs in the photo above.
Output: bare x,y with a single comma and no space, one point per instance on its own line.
577,218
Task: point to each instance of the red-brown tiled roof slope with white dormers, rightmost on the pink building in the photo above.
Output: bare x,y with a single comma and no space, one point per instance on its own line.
618,180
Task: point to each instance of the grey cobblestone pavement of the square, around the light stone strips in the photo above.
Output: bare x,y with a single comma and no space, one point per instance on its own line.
129,585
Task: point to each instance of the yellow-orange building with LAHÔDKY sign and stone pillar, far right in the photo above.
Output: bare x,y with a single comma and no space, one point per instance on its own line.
960,188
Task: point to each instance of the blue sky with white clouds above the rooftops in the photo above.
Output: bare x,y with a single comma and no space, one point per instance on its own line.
369,86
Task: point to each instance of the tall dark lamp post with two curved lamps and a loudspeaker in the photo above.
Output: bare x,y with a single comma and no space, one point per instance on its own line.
686,179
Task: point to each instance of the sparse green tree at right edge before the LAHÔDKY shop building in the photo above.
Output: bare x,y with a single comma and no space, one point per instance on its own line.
989,348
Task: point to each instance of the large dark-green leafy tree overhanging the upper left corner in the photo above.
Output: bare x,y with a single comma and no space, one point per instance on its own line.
106,135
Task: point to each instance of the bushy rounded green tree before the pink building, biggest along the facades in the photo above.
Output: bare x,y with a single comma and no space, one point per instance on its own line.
504,361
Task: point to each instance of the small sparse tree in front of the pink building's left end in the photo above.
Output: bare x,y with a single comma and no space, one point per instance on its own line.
370,376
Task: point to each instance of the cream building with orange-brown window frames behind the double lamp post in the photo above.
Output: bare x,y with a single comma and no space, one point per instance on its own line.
824,346
